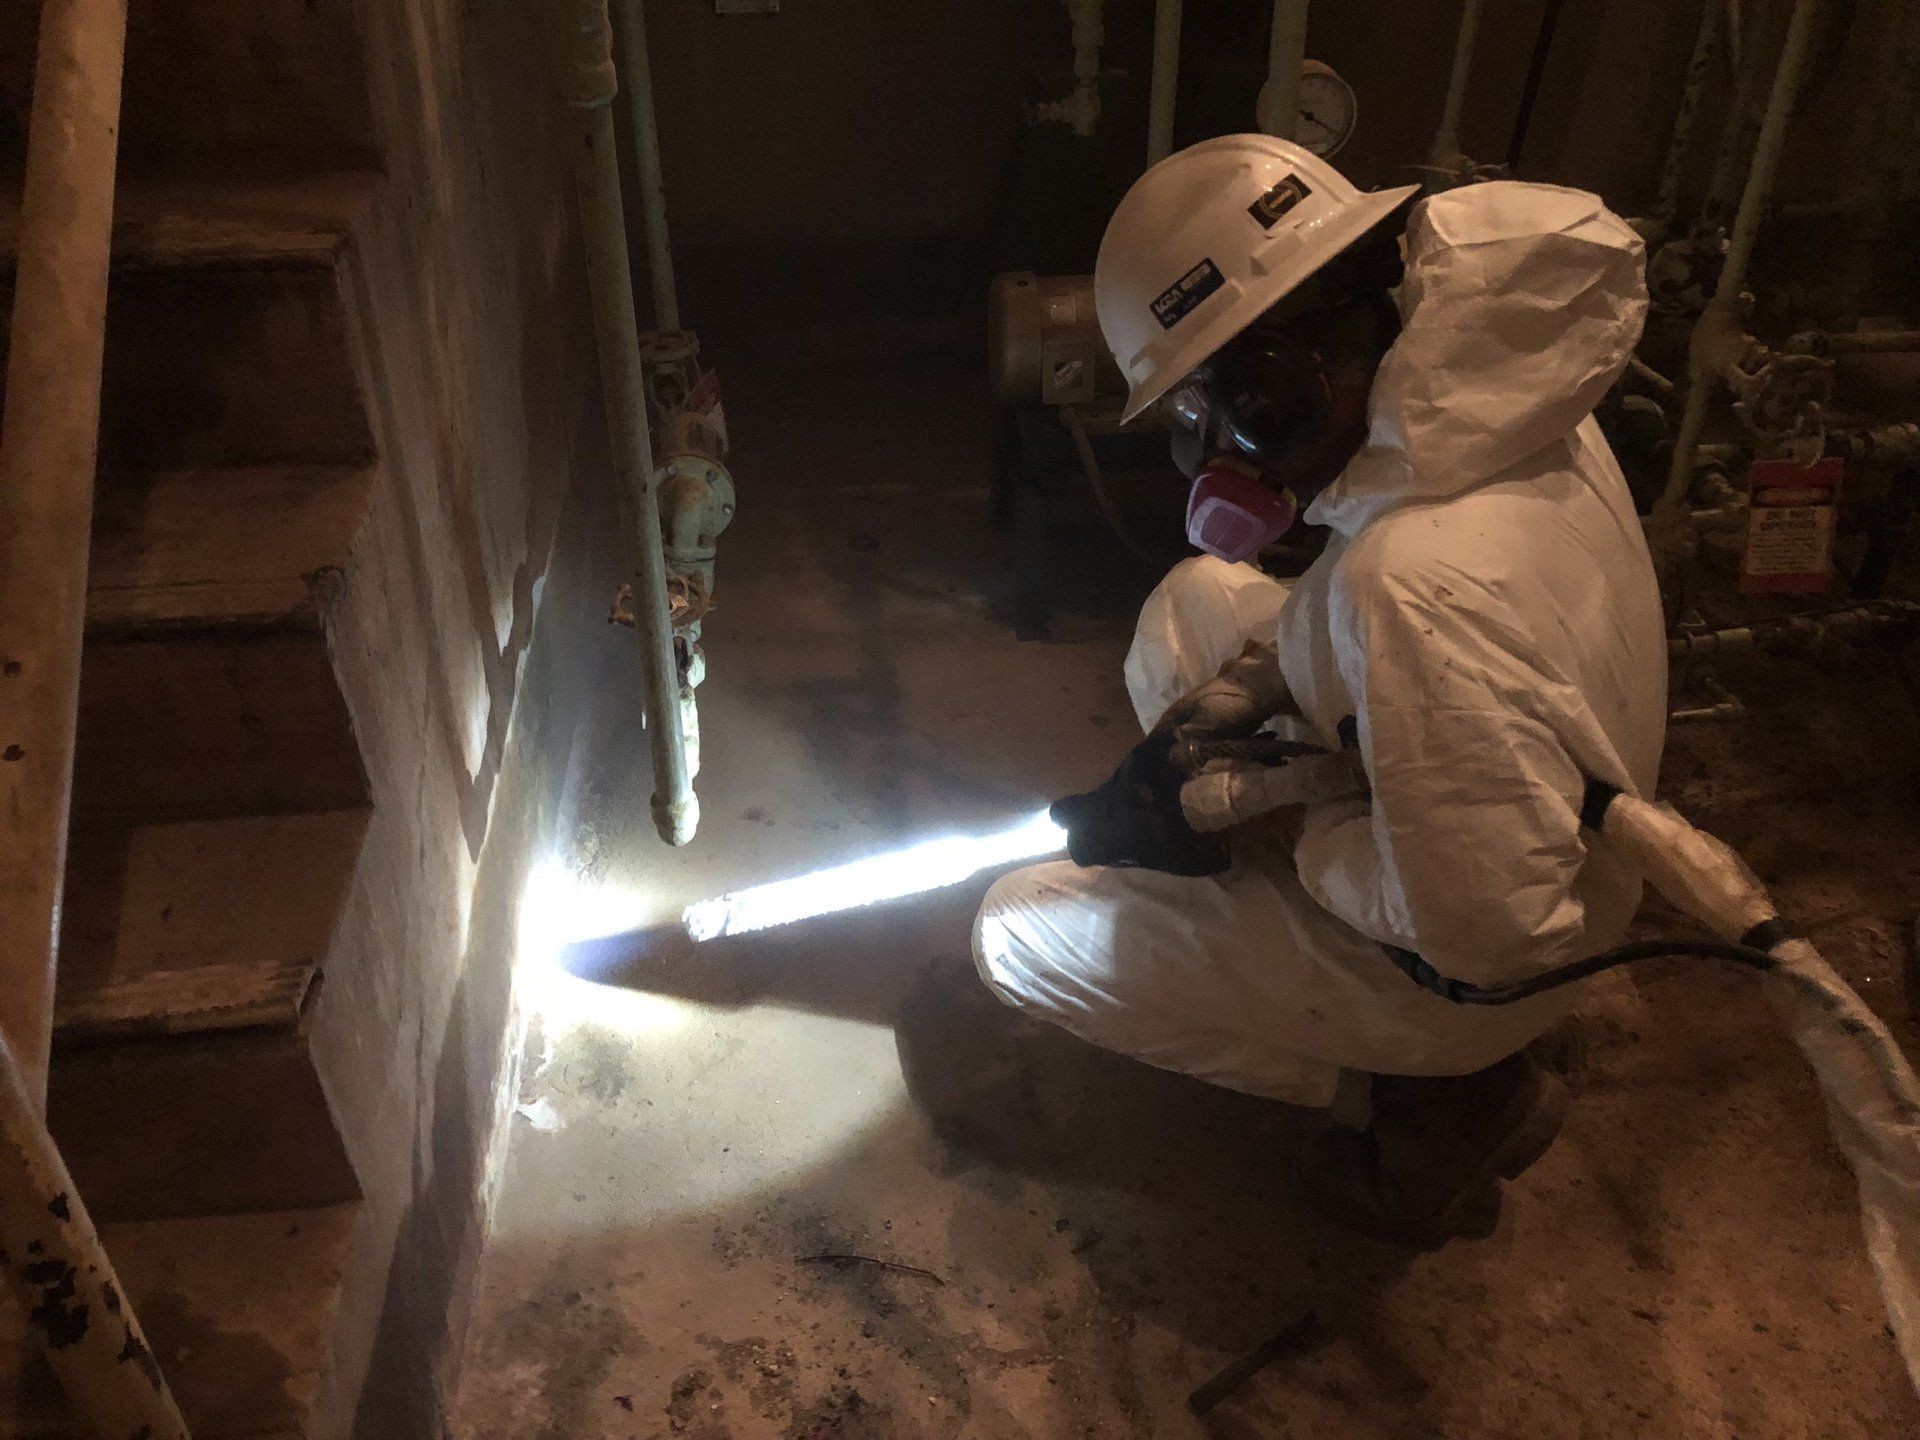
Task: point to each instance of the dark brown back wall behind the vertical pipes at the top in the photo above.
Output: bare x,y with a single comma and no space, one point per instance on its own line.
876,124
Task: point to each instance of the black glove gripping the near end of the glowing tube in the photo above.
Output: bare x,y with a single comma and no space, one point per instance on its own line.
1136,819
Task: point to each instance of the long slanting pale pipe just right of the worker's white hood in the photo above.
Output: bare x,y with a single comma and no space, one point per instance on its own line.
1721,318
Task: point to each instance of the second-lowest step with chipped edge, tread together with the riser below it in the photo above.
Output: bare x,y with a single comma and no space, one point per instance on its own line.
189,957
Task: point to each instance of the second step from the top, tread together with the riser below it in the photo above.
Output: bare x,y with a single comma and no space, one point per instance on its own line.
208,686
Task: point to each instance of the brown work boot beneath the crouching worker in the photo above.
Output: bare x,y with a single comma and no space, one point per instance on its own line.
1435,1153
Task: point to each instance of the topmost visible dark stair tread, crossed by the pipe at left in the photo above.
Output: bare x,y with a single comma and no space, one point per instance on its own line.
220,222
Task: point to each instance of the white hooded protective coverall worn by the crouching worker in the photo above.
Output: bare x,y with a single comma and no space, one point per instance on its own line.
1487,615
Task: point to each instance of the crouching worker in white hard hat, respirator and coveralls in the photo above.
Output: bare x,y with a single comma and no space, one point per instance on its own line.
1481,638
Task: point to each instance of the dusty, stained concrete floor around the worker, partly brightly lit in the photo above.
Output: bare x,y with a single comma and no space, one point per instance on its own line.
704,1126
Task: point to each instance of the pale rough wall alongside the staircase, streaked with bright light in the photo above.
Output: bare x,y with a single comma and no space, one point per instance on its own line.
477,358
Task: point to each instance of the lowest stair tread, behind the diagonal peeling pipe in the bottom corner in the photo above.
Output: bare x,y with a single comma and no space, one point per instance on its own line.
237,1310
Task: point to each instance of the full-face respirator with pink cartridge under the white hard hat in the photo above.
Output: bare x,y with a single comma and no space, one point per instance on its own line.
1278,414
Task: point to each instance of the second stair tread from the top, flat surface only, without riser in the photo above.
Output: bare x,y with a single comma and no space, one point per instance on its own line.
251,546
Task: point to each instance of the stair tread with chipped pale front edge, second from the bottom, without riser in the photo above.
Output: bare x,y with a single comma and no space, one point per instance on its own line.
203,924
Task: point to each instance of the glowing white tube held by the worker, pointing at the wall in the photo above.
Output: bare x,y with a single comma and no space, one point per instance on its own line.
924,867
